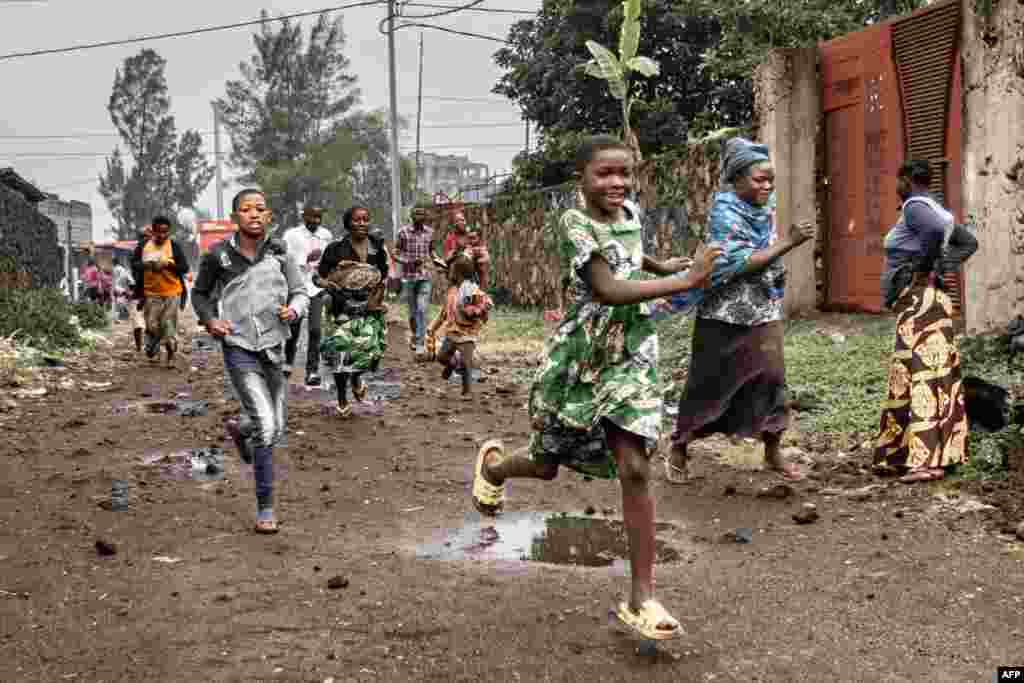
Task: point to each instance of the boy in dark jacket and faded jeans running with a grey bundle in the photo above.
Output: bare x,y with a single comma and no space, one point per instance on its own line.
262,292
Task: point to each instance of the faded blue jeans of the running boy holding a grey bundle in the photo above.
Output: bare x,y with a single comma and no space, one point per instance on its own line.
260,385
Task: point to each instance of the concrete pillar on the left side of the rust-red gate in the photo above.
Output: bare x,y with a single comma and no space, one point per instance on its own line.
789,113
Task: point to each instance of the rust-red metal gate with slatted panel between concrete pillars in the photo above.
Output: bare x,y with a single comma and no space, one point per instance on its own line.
890,93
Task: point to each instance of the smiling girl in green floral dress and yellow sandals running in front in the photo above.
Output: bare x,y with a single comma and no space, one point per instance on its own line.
595,405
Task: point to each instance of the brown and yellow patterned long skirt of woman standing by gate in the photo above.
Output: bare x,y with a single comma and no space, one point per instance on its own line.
924,421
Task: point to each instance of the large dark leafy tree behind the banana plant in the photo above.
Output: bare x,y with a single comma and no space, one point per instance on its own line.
545,75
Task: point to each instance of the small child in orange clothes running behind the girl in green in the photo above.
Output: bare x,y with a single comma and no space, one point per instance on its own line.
460,322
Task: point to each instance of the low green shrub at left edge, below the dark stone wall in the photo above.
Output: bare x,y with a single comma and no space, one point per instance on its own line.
38,318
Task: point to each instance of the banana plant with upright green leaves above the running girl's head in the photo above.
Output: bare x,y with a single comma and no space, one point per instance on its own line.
617,71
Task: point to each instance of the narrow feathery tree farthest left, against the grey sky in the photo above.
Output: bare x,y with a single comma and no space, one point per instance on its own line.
165,174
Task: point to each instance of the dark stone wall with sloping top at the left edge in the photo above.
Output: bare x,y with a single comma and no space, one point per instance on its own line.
29,252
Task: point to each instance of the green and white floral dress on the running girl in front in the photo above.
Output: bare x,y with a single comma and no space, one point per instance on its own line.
603,361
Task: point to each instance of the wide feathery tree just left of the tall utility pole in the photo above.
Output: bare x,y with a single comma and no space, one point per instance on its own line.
285,116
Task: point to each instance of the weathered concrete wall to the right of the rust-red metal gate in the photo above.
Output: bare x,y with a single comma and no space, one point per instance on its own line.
994,161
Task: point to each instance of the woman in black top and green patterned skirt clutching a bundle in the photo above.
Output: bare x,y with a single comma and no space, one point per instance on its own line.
354,271
